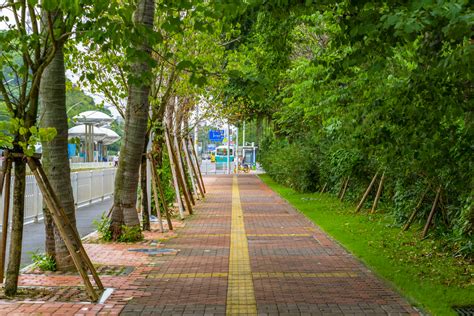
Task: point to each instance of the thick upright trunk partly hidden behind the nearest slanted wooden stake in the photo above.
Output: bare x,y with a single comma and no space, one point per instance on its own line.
55,158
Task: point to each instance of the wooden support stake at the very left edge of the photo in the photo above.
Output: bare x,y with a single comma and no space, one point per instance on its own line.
6,209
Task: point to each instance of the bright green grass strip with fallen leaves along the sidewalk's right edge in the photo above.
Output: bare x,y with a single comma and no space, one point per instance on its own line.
430,278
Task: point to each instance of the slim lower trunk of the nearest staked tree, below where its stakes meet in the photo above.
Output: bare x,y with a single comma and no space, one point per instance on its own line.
16,237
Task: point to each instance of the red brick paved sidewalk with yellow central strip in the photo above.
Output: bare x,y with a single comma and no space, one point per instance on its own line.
246,251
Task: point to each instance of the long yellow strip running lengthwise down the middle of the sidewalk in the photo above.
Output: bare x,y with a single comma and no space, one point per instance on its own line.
240,291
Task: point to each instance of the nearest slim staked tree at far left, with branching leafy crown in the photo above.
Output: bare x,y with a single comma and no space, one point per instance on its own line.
36,41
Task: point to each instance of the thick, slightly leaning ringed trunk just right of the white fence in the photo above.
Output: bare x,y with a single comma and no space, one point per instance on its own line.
136,119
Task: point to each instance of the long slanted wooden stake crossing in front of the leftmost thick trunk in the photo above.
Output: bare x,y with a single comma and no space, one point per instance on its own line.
65,229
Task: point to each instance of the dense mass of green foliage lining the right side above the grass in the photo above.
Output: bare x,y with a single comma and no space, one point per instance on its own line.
361,88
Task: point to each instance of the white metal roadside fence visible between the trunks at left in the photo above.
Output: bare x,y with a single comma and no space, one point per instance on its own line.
88,187
